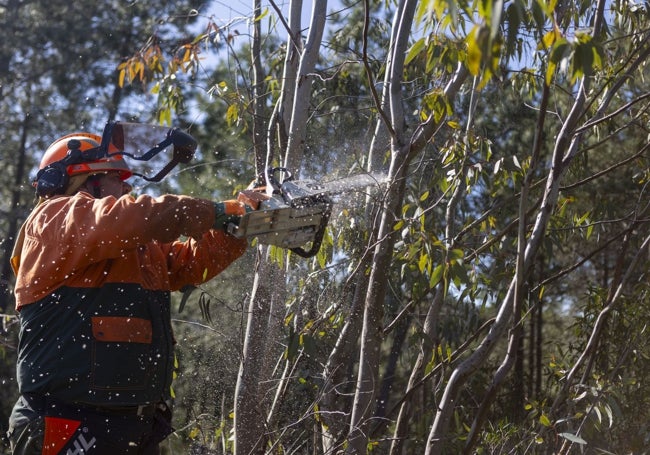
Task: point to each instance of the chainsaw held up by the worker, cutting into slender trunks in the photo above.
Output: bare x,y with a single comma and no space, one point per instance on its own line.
292,213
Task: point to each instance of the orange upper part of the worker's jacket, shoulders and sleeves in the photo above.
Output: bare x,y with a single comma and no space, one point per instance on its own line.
74,239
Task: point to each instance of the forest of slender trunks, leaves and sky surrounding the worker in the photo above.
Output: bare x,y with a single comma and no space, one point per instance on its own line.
491,296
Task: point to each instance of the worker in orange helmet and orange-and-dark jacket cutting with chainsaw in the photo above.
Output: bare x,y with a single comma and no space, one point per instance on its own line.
94,269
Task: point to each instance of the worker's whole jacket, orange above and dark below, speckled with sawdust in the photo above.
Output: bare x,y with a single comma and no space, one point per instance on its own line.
93,282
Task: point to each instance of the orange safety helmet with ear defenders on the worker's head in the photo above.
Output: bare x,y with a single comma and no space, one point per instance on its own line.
72,155
